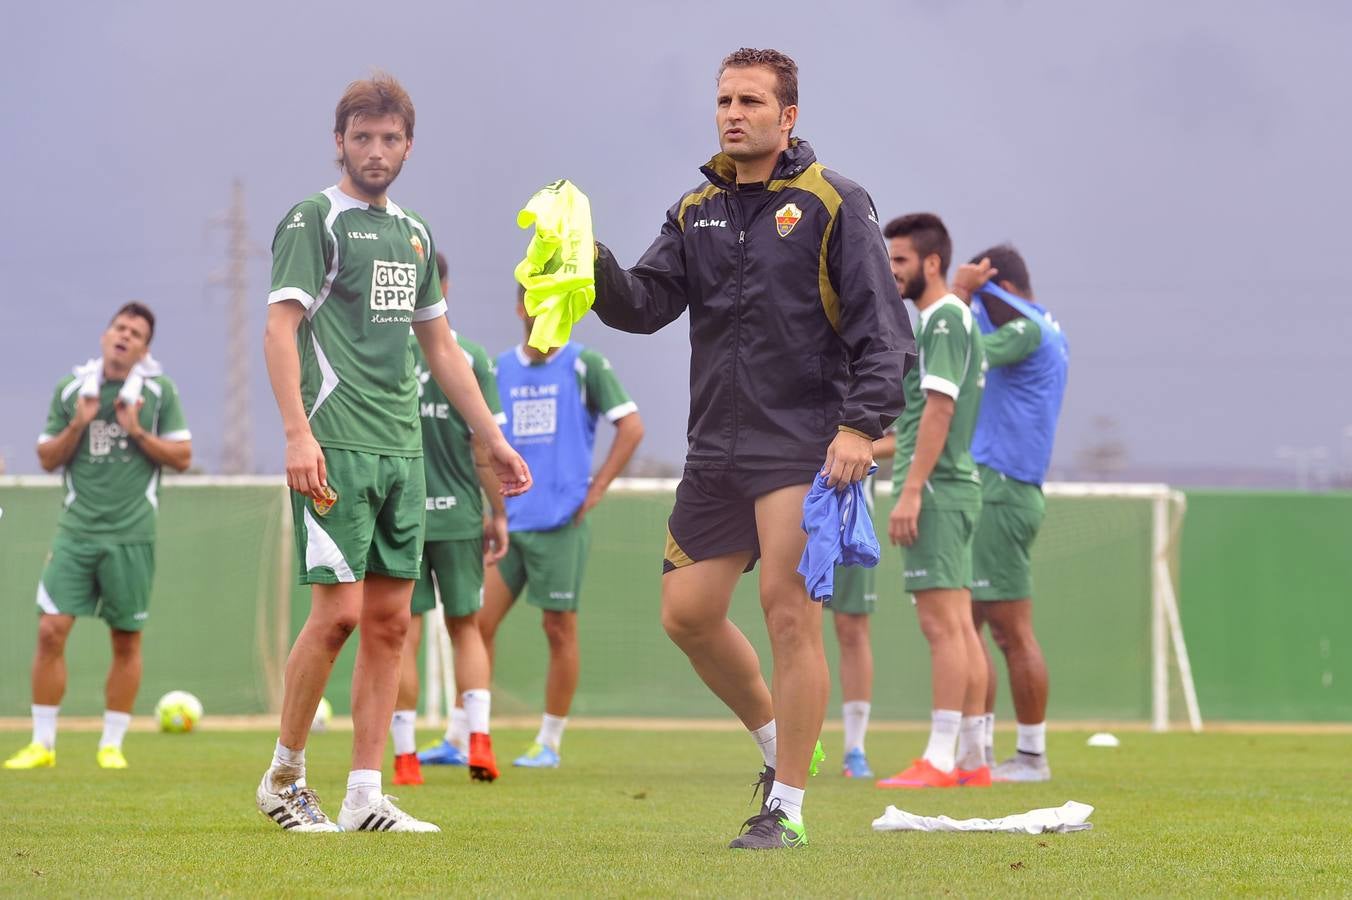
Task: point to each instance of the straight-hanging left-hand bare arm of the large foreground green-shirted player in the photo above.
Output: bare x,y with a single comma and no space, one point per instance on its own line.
306,471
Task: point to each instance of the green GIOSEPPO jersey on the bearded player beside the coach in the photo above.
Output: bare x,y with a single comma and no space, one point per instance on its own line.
364,276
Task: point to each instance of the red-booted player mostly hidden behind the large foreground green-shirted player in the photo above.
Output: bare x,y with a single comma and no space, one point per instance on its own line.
459,545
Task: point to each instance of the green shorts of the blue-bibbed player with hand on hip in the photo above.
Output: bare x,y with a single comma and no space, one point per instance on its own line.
551,564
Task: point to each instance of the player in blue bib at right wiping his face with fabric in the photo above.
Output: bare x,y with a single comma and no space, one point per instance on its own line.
1028,359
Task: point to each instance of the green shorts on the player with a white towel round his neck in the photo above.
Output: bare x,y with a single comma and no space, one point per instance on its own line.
91,578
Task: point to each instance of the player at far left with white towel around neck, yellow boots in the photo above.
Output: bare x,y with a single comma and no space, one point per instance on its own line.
113,426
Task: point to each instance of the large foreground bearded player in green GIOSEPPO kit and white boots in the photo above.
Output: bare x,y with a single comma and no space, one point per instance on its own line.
352,275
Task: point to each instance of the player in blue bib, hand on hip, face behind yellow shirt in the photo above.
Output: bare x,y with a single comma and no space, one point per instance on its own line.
552,403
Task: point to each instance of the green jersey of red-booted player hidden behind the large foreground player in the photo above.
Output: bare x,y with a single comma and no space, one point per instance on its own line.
455,503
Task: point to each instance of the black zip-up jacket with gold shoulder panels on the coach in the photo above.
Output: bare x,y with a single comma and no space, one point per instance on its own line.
796,325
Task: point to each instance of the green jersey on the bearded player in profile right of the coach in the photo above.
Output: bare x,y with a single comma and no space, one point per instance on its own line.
952,363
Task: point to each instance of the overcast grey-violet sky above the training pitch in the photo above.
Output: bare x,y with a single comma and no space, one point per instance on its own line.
1176,174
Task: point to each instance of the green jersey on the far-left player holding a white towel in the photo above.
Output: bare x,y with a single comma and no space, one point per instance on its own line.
113,487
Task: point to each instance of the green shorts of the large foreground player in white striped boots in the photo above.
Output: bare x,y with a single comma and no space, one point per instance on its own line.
375,526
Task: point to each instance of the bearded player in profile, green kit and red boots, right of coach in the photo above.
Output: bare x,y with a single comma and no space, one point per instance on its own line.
939,499
